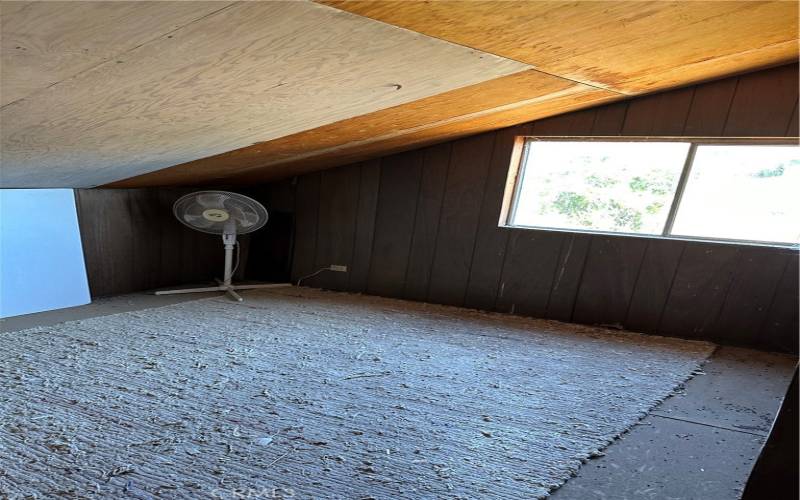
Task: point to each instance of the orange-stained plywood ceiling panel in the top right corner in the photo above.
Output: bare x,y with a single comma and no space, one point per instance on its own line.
630,47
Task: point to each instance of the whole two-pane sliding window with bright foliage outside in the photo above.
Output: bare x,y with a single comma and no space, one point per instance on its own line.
681,189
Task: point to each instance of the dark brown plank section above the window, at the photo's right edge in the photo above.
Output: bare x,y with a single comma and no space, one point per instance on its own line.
763,103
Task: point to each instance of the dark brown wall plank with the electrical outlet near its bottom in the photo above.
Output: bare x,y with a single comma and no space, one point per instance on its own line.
336,228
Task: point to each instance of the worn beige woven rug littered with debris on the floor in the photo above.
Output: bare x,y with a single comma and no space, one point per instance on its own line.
305,393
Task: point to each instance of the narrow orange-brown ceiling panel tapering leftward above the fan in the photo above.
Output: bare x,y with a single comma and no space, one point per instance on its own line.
494,104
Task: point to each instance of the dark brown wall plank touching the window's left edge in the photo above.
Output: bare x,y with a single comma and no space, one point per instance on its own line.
491,240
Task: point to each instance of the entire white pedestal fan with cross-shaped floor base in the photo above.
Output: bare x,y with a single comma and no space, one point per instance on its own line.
227,214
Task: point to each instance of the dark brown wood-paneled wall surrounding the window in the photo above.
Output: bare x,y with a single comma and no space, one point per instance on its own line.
435,223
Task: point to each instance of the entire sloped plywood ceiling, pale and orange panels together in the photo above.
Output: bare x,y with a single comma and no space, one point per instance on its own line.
132,94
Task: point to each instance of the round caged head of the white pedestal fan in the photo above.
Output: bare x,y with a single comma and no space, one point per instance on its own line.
220,212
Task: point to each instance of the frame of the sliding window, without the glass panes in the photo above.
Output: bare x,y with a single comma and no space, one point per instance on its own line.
519,156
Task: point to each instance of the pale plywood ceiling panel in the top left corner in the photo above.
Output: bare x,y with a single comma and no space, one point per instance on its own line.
43,43
